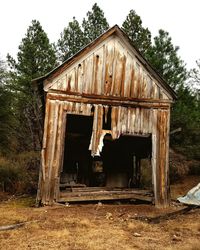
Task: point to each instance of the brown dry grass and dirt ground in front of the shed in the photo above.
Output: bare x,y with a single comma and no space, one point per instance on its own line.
98,226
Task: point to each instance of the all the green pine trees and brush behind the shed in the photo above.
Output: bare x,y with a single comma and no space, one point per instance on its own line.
21,119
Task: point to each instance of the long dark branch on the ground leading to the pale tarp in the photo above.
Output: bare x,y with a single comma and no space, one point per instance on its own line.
172,215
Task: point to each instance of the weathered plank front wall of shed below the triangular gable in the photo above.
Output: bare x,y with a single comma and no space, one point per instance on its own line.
127,118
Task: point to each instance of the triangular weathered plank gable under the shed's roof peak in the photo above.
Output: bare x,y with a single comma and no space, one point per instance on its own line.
111,69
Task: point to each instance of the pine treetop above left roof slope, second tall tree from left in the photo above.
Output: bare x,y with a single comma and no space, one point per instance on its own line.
71,40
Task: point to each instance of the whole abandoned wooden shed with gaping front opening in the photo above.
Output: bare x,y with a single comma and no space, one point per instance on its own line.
106,109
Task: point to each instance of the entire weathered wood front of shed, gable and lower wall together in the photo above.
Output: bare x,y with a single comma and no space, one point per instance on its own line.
107,73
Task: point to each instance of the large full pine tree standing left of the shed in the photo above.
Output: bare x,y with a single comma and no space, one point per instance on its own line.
36,57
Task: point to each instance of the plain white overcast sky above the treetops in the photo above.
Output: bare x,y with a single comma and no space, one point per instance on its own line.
181,18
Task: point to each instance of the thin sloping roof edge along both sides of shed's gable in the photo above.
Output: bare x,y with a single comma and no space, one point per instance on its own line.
119,32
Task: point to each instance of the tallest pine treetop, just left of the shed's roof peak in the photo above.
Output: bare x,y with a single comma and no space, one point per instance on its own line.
95,24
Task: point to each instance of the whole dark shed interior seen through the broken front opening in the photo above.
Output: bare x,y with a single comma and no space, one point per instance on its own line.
119,164
